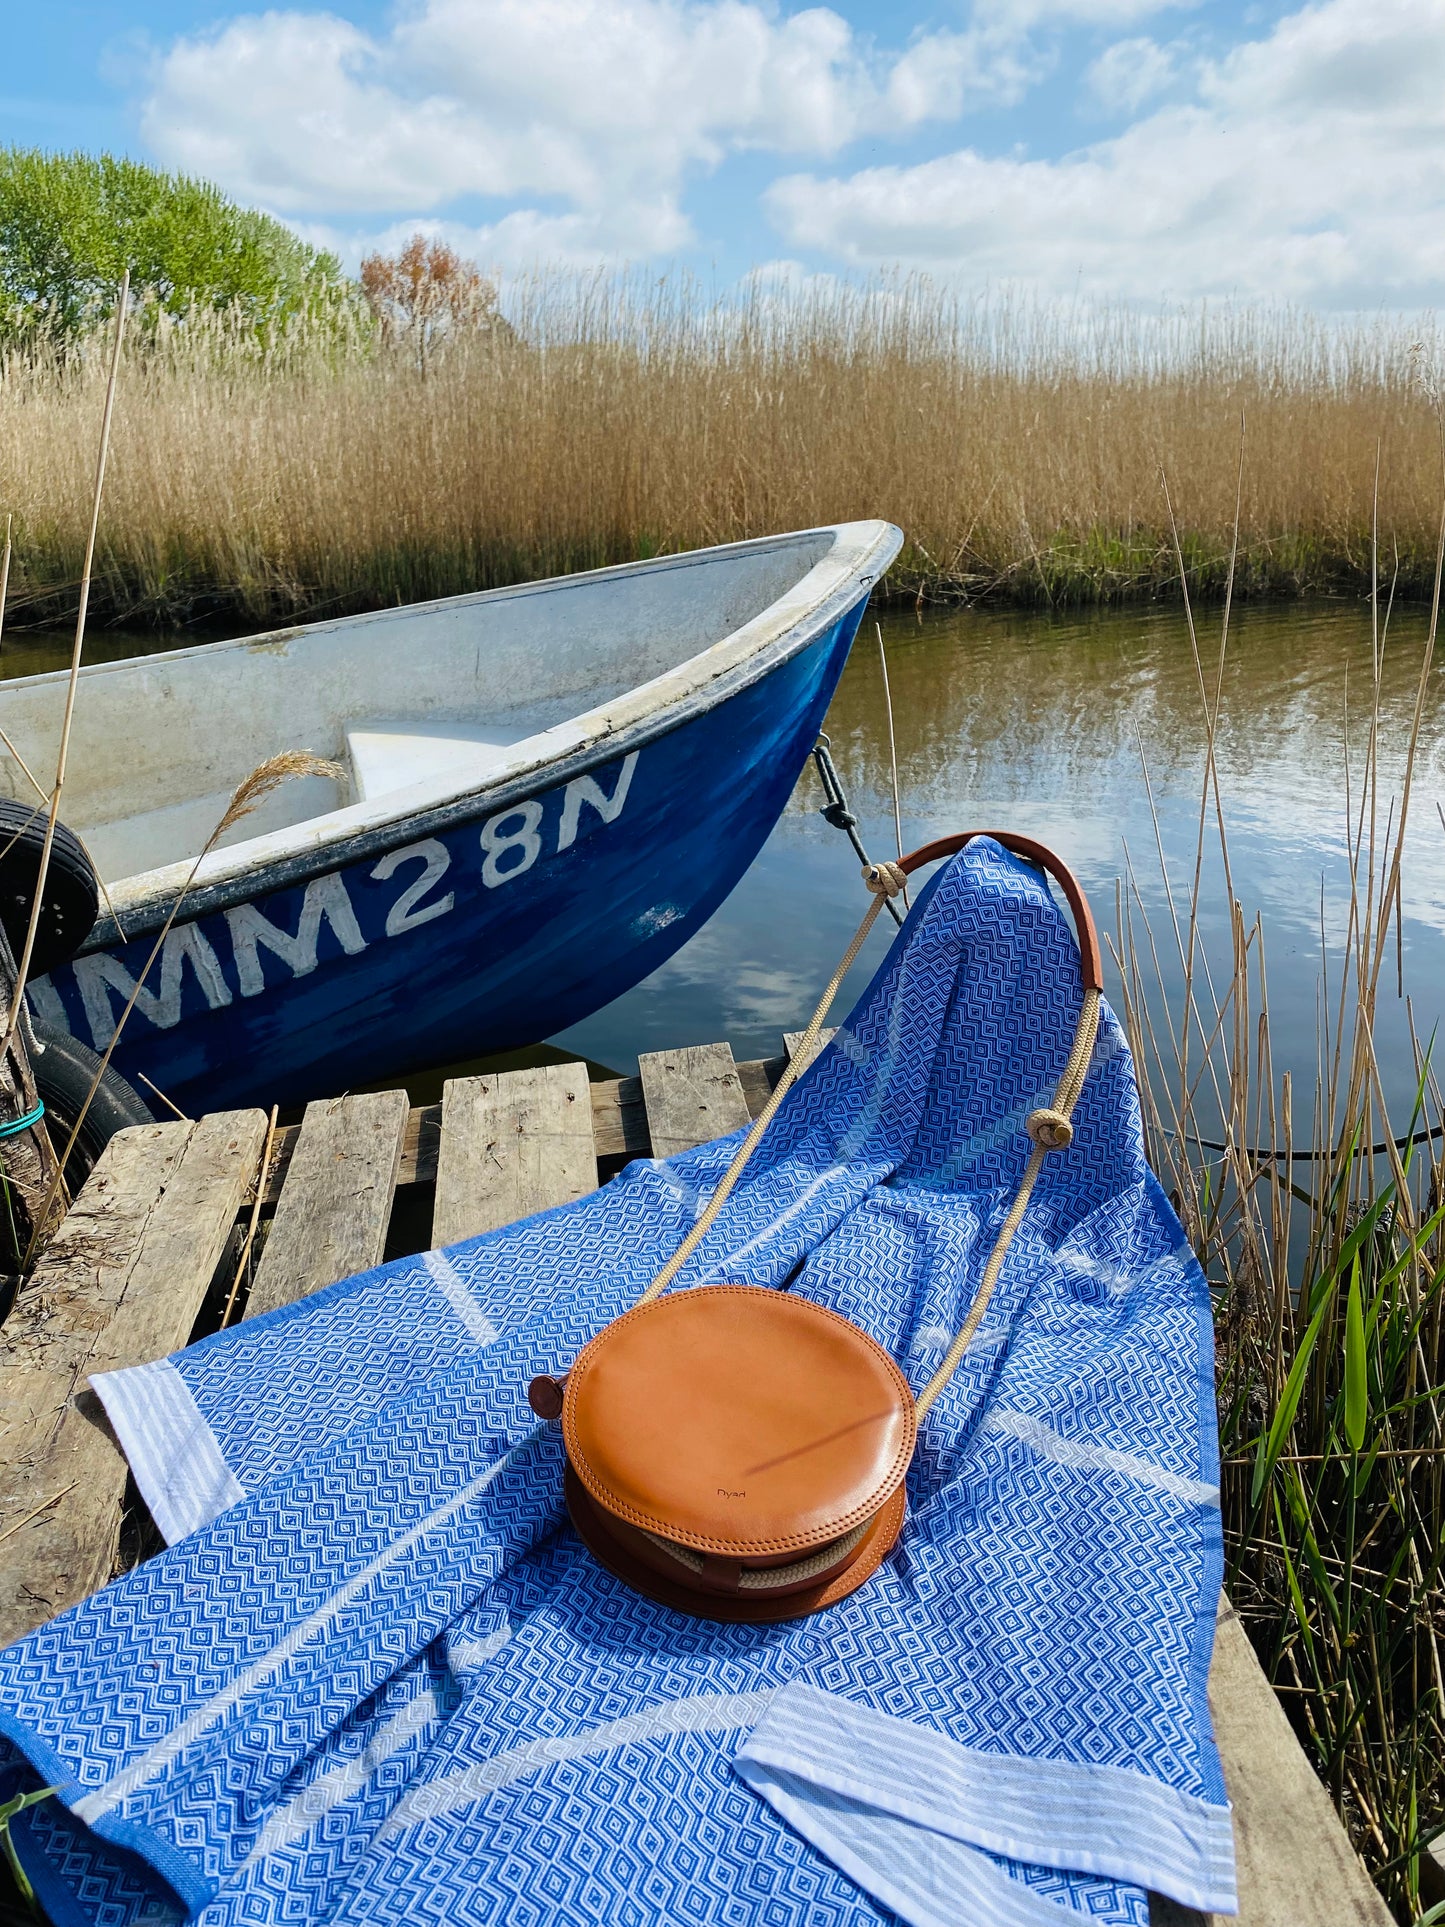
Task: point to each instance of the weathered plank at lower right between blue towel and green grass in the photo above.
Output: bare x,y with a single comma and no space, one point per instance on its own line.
1294,1857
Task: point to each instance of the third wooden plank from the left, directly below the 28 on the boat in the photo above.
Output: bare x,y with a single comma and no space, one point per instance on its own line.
513,1144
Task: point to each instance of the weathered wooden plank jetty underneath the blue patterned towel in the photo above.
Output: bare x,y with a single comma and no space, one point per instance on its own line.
167,1234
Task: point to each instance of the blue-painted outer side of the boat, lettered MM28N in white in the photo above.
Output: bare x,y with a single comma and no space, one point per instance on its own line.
492,932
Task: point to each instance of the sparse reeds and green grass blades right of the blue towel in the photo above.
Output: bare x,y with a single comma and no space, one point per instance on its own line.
1321,1221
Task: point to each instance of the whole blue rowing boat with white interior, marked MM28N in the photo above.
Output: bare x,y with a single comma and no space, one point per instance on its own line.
533,799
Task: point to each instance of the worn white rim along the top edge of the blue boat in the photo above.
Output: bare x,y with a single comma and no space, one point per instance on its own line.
858,560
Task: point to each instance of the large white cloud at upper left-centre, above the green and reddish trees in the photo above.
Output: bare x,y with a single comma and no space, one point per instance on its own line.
594,115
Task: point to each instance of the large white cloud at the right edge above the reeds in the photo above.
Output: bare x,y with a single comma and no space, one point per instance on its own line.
1311,165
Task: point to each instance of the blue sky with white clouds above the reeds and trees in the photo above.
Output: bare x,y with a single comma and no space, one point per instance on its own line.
1132,151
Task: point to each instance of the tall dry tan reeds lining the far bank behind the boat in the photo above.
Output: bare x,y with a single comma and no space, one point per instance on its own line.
1020,450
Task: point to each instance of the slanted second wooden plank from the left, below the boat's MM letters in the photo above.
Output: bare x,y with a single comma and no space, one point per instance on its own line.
334,1211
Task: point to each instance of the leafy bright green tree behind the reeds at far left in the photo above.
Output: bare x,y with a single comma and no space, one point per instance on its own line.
70,224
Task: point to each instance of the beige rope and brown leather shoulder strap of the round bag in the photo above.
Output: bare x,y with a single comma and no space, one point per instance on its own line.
1049,1128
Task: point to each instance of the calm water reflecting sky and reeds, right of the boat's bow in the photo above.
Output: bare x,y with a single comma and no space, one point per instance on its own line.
1047,726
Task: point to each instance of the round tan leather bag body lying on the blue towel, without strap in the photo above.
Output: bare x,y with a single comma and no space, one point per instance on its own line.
737,1454
